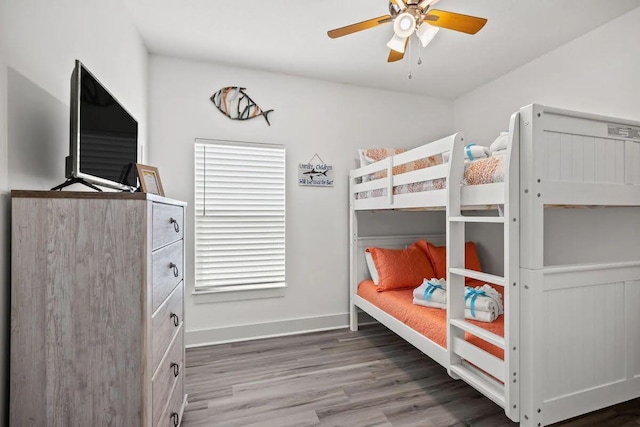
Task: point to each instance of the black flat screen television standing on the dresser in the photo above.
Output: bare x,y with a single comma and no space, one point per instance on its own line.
103,136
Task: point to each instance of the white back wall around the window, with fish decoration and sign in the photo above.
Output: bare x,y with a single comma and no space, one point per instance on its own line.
310,117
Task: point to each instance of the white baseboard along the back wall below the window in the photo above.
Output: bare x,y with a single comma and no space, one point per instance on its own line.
228,334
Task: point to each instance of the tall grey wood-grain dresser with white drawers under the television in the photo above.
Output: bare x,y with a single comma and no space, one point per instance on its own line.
97,309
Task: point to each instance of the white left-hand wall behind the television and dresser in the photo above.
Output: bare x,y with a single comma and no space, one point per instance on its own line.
39,41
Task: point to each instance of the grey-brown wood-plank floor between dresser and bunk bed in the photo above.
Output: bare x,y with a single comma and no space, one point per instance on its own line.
342,378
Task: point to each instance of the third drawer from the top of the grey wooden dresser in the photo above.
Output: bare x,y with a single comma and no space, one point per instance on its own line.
165,323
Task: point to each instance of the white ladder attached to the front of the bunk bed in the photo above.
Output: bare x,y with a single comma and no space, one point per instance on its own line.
496,378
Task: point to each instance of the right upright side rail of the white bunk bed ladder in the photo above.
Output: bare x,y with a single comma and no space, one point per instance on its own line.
512,271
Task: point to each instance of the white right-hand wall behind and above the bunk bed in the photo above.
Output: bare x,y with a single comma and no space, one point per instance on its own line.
598,73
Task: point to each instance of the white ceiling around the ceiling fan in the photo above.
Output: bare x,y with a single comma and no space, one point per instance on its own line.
290,37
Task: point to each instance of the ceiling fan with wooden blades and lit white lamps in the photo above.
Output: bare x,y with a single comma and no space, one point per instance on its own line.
414,16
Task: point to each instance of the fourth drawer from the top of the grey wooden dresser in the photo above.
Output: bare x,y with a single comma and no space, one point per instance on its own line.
168,374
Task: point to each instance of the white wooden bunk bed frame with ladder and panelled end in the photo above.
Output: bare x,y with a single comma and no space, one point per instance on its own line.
554,158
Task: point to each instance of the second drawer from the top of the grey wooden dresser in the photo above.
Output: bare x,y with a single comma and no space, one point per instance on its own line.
167,271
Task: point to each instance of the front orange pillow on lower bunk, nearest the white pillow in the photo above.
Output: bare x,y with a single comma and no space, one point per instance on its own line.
401,268
